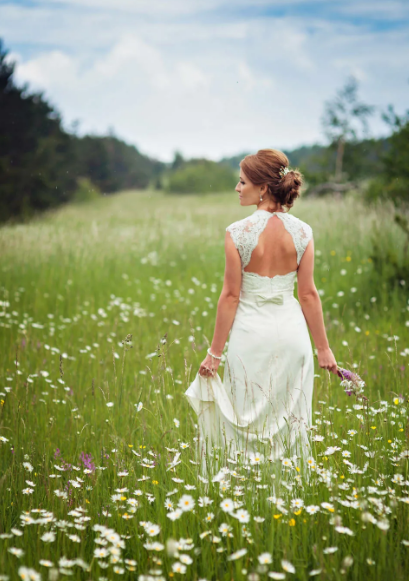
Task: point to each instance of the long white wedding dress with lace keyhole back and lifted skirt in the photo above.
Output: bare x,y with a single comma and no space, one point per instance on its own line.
263,405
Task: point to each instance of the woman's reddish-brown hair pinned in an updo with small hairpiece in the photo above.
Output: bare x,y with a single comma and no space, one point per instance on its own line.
264,167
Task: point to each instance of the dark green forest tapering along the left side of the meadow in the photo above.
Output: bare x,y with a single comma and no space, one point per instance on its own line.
42,165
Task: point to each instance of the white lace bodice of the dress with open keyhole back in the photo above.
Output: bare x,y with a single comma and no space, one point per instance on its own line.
245,234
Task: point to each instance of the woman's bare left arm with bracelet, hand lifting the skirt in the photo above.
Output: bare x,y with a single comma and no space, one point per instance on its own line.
226,305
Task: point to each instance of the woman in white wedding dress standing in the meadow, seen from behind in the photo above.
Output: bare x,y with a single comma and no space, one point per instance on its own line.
263,405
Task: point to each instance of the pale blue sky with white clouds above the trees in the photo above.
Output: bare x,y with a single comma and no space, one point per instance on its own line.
208,78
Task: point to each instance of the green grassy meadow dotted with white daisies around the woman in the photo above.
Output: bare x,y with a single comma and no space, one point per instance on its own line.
99,472
